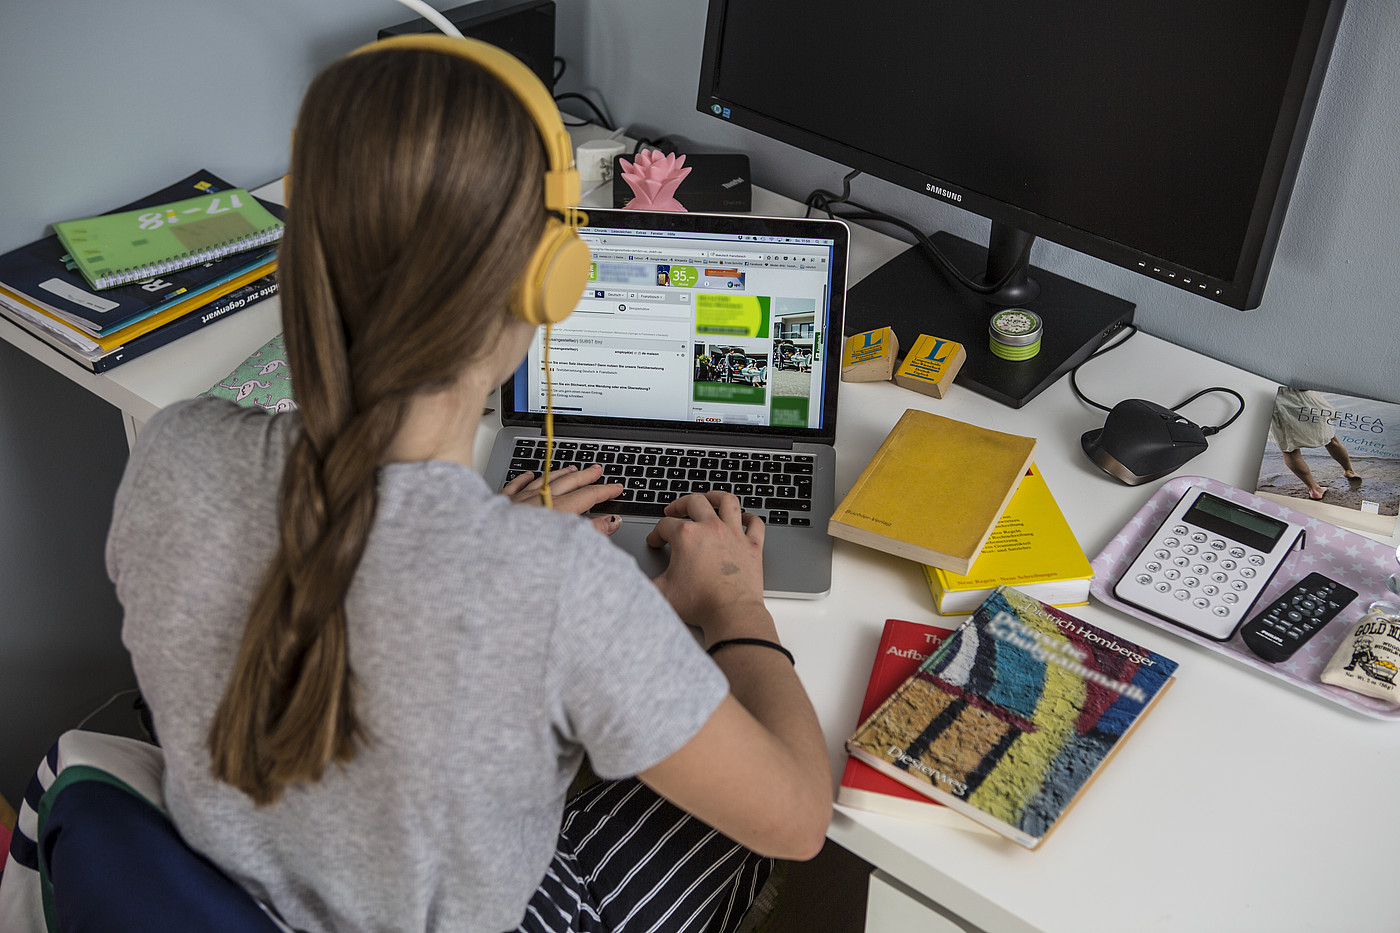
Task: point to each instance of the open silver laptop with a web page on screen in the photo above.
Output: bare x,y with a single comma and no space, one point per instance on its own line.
705,354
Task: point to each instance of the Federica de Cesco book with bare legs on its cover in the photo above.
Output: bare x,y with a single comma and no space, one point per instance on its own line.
1333,457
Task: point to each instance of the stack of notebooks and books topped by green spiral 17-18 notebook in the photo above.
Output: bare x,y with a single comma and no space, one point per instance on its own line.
108,289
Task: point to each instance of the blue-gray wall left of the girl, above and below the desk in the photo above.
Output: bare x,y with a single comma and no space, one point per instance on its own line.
101,103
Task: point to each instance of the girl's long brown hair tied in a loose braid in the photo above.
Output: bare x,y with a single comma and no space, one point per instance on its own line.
416,201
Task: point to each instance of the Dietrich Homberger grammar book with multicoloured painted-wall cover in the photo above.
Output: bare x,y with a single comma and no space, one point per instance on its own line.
1014,715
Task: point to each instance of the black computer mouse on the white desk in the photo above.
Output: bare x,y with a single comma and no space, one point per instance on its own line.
1142,442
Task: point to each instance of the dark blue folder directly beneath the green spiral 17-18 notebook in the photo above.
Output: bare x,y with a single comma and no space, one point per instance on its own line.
40,274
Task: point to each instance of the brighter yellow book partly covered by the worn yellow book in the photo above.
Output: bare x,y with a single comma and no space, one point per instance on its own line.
1032,548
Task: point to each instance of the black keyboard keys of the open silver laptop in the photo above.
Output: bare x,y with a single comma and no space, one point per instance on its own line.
775,483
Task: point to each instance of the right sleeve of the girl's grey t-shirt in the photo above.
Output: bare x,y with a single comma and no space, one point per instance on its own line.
631,683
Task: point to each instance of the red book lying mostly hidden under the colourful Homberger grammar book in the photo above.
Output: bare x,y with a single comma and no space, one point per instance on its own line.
904,647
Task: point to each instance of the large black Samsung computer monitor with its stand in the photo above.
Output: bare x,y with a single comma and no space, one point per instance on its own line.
1160,137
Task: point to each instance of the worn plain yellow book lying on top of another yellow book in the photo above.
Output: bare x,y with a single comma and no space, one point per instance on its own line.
934,491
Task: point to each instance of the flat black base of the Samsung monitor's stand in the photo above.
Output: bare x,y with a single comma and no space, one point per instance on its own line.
912,295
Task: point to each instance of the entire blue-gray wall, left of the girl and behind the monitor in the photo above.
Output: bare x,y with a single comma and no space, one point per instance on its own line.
103,102
